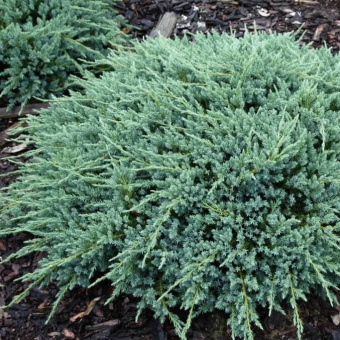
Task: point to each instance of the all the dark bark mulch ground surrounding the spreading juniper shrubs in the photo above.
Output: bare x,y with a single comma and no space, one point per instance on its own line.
26,320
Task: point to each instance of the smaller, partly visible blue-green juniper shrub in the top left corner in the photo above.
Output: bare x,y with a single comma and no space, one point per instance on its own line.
41,43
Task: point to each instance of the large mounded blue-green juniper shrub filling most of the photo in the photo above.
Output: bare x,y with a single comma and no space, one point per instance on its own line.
199,175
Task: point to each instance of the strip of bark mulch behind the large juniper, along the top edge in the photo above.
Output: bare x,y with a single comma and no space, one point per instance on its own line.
319,21
